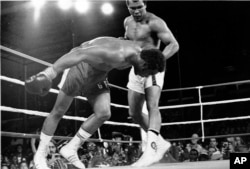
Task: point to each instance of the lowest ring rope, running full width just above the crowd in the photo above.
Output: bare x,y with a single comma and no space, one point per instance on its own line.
24,135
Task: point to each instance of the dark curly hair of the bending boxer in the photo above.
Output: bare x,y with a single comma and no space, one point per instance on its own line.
154,59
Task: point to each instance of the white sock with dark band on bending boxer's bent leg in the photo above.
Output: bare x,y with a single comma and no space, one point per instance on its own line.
78,139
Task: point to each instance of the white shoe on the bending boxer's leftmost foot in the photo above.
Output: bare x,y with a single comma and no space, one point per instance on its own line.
40,161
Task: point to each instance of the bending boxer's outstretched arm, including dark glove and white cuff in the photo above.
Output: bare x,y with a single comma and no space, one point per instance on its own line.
42,82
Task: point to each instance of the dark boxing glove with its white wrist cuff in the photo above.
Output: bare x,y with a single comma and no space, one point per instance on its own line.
41,83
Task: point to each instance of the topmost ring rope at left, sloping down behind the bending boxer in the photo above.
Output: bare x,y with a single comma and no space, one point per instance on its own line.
41,61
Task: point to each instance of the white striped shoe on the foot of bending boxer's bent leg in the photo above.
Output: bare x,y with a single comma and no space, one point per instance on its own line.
72,157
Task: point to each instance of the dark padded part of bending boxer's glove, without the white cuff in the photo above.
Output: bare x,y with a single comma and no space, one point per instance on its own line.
38,84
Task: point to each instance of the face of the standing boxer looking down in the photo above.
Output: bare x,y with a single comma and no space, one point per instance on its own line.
137,9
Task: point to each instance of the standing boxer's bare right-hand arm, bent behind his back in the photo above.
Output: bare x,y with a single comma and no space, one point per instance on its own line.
166,36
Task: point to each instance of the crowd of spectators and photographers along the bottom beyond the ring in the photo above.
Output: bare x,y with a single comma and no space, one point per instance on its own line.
18,154
